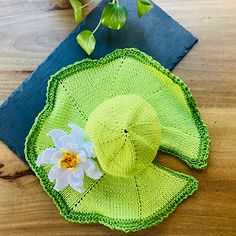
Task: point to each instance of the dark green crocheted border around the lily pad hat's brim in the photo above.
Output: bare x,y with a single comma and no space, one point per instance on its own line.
125,225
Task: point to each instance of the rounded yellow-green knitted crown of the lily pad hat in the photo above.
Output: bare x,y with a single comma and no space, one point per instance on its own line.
125,132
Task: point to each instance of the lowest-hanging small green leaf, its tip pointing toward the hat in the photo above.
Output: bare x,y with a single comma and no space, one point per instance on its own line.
87,41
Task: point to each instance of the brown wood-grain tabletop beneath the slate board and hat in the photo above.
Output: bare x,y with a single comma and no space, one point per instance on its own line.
30,29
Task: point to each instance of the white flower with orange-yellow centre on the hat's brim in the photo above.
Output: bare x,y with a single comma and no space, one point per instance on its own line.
72,157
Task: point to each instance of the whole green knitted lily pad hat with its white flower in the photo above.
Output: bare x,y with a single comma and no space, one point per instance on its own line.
94,143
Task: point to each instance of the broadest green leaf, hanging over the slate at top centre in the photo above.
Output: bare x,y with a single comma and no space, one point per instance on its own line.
114,16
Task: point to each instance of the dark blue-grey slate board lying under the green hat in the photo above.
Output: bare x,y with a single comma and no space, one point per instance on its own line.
155,33
